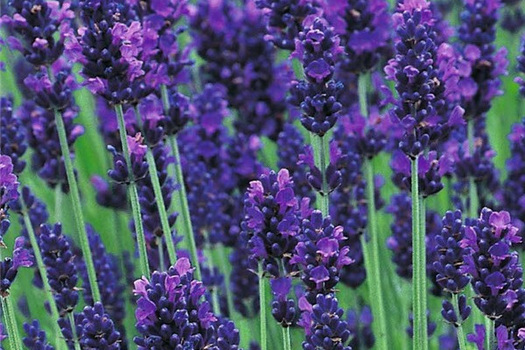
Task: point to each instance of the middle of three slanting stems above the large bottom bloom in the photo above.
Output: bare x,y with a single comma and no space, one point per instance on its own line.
159,198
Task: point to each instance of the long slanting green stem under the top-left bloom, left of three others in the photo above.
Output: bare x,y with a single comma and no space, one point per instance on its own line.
77,209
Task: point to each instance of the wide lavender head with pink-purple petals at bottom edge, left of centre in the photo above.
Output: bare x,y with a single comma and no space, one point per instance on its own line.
170,314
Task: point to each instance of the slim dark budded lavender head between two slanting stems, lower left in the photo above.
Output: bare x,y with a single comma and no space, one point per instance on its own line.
61,270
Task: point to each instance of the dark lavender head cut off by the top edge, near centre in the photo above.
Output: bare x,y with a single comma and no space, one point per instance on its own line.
285,18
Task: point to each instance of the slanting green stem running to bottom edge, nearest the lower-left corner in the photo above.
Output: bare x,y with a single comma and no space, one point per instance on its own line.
43,275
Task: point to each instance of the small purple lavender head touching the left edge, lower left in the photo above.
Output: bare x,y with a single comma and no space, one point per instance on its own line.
9,266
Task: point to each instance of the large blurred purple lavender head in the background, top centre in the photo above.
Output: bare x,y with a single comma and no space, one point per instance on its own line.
238,57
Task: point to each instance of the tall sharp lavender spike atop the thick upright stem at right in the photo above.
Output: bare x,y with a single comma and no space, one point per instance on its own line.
416,76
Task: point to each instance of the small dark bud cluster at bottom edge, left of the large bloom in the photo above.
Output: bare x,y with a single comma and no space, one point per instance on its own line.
98,330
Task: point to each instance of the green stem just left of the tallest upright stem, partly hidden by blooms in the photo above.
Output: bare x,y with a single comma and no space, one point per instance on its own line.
376,291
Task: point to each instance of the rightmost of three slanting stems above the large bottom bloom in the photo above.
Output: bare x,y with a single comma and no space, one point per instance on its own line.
180,195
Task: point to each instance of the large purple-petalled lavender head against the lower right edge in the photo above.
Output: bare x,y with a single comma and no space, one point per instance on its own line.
495,271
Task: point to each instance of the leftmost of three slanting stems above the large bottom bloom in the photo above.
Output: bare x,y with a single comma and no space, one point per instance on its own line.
133,196
